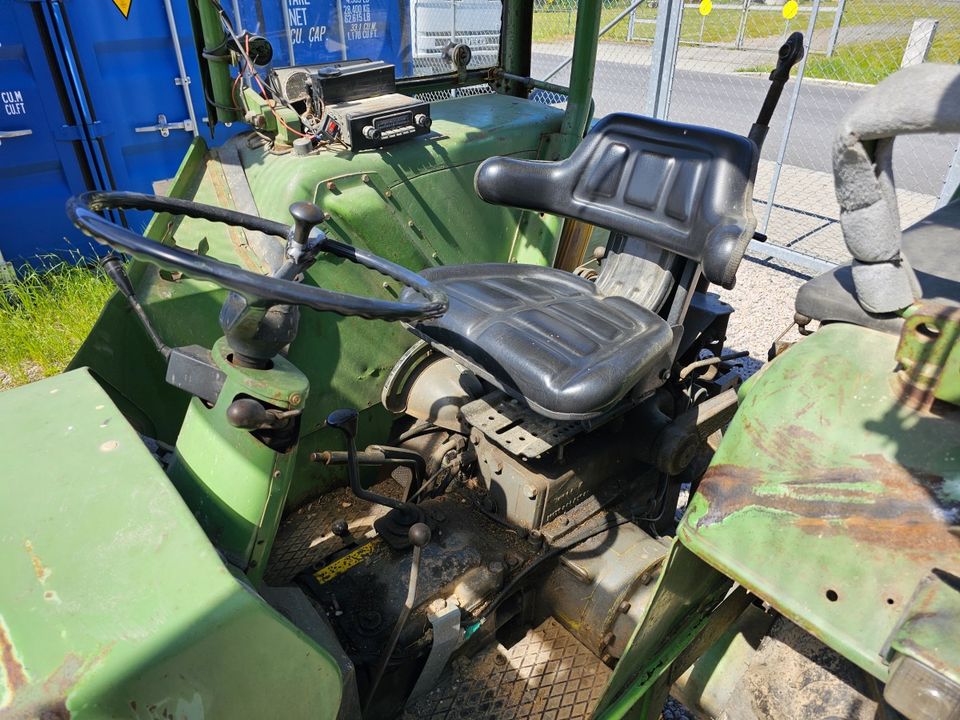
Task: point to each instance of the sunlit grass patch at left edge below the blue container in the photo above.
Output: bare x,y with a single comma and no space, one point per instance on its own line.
44,316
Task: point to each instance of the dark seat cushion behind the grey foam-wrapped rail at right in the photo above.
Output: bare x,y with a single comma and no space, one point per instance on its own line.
932,247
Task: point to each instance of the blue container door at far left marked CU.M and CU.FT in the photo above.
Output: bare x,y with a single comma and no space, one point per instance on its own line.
43,159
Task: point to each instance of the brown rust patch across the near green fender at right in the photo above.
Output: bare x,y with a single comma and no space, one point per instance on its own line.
882,505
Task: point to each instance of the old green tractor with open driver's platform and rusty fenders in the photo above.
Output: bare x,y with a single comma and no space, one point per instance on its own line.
360,436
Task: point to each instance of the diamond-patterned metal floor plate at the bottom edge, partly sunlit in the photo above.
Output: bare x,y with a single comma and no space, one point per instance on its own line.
548,675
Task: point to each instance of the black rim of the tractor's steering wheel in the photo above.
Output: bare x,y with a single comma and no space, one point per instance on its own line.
258,289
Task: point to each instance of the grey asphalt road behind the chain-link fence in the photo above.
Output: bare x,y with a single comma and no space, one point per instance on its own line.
731,102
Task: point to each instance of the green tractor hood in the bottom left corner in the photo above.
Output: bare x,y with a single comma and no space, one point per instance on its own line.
113,602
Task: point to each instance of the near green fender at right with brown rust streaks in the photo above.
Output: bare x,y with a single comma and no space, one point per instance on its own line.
830,499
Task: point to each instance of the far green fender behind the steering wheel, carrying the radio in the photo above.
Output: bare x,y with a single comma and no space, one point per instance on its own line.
346,360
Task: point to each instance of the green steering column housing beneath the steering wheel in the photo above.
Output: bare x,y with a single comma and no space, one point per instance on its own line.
235,485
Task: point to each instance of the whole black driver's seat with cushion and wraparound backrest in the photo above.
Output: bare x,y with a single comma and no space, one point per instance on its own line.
676,198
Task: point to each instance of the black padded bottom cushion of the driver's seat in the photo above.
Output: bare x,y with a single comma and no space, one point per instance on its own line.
545,336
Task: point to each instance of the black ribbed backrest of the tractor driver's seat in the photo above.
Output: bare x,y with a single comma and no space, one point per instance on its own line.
683,188
